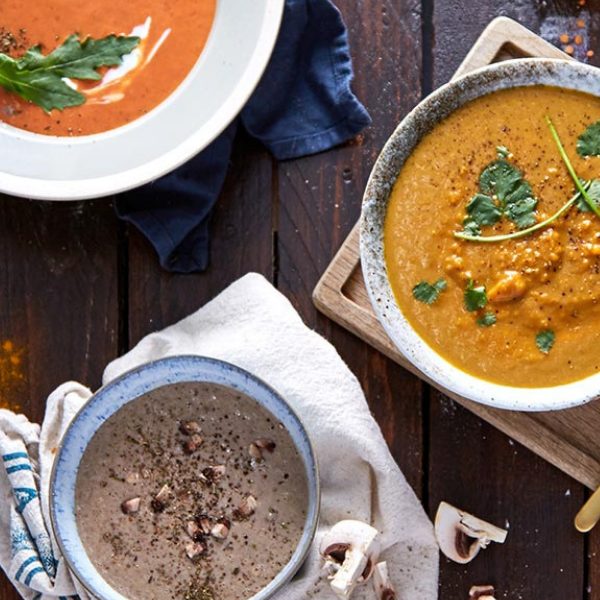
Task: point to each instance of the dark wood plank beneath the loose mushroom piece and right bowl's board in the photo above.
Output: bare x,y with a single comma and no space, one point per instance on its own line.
470,463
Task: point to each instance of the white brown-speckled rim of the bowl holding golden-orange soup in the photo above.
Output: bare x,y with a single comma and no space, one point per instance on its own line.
430,112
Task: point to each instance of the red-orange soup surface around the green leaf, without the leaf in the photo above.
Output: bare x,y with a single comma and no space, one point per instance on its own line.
176,35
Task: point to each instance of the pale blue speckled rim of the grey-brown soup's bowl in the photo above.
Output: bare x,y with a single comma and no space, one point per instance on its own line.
109,399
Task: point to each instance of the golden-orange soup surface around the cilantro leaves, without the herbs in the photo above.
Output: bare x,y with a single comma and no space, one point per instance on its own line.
546,281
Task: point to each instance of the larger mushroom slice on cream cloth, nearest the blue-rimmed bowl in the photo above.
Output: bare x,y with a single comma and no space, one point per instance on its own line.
350,549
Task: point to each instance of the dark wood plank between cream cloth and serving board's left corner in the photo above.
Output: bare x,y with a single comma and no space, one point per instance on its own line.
319,202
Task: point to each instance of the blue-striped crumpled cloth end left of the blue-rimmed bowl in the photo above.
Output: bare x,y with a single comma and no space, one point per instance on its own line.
28,551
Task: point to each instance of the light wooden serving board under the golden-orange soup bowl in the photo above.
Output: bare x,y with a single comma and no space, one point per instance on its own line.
569,439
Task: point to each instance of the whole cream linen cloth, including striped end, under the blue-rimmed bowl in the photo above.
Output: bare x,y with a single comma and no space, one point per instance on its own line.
253,326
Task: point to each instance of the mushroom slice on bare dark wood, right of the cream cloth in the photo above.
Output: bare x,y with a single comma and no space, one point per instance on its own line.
460,535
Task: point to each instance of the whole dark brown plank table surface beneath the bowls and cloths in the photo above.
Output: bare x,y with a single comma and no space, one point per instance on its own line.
78,288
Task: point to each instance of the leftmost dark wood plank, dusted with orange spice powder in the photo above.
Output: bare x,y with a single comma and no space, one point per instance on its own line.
58,314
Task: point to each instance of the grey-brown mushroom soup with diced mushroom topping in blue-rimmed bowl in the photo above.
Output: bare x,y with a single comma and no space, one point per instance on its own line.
191,492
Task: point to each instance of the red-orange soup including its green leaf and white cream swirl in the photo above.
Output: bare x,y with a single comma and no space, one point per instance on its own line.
69,69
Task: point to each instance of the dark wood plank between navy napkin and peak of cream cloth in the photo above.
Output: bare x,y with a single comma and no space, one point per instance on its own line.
241,241
